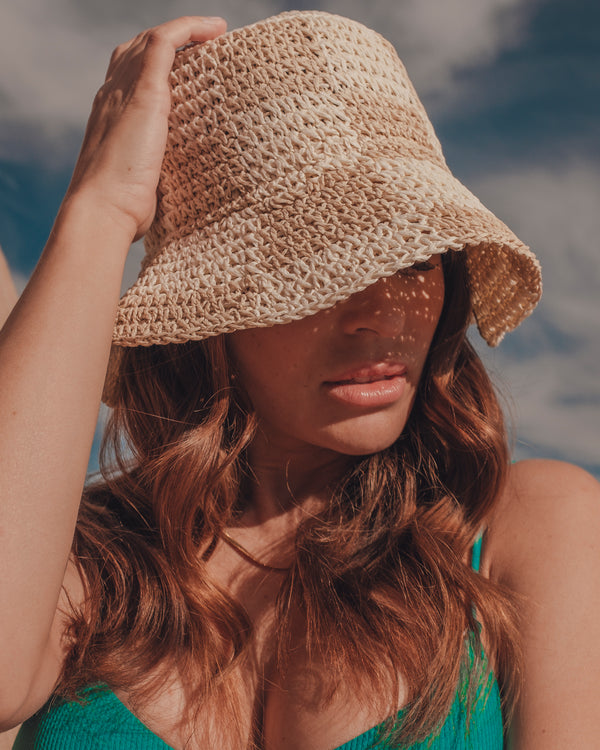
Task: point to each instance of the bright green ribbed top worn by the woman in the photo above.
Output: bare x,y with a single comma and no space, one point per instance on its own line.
102,722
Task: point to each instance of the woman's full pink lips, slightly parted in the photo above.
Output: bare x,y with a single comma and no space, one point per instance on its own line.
371,385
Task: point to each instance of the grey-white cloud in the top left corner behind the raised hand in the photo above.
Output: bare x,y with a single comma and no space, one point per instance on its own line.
54,55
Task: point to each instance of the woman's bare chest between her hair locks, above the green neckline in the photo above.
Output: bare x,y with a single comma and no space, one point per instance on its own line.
260,703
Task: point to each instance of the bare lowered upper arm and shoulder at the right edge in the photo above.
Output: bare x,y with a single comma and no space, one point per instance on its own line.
544,543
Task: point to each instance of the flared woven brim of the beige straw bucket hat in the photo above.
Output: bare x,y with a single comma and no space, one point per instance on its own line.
287,256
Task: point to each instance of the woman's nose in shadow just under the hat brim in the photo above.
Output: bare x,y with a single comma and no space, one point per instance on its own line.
377,310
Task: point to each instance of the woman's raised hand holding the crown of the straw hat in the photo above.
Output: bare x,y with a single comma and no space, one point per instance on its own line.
124,143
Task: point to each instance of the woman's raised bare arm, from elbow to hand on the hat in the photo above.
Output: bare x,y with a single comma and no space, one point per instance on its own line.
54,349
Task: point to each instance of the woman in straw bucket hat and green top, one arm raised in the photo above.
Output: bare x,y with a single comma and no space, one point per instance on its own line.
307,449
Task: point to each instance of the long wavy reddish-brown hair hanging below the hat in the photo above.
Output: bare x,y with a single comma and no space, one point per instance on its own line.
381,575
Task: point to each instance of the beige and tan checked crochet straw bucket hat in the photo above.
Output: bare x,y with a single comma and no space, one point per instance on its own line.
300,168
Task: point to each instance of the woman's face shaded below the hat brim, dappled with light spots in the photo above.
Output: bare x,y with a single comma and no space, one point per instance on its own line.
344,379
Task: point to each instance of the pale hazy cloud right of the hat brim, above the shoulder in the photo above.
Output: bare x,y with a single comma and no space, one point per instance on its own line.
551,367
